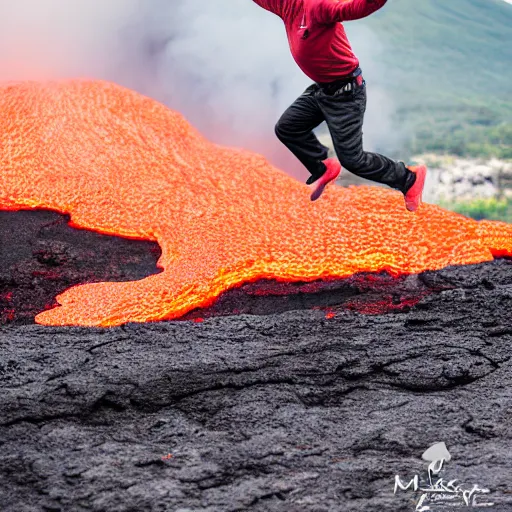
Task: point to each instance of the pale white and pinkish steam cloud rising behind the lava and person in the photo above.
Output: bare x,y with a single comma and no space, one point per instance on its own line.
224,64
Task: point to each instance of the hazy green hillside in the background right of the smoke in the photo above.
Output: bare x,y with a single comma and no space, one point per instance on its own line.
450,65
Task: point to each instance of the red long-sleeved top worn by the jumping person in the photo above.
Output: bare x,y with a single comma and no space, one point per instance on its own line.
317,39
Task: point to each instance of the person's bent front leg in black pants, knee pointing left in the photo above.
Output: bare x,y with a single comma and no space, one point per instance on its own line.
295,130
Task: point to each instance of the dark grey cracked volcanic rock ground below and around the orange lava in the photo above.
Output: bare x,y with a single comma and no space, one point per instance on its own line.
283,412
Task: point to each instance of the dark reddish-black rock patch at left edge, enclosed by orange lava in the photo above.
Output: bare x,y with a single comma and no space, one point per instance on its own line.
41,256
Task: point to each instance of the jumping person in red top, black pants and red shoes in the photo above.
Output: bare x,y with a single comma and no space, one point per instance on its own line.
320,47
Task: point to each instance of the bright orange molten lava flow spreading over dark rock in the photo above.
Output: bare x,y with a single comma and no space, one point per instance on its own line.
123,164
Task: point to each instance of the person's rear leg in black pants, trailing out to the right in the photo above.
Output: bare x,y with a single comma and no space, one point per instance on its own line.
344,114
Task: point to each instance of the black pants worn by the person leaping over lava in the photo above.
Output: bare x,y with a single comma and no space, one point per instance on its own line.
343,112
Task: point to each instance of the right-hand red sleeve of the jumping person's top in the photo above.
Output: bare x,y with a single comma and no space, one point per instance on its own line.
332,11
